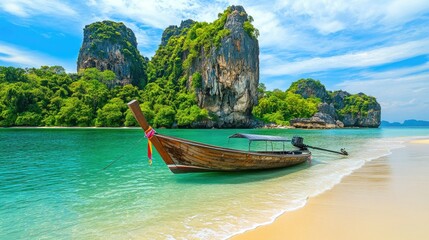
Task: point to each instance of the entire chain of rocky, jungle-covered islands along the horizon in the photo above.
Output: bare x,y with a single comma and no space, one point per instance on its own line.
203,75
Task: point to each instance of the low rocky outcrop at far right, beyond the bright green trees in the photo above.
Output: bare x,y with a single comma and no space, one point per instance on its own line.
337,109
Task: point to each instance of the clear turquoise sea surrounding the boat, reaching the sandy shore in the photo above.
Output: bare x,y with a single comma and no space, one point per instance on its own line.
53,186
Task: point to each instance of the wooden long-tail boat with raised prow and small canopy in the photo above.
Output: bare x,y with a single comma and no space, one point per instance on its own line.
184,156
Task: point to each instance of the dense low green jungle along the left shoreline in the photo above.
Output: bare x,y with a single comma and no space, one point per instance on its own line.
48,96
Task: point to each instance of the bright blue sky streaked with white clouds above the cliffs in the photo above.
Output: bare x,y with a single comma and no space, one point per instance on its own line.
379,47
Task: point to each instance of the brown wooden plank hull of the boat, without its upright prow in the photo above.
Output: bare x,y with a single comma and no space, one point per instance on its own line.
189,156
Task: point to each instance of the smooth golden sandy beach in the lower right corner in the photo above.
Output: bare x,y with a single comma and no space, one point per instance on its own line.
387,198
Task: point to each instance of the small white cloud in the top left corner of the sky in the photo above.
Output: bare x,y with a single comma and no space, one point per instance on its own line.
28,8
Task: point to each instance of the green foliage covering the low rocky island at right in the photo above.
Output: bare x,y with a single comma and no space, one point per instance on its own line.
280,107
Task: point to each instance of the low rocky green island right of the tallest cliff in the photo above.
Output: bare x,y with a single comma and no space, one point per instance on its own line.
307,104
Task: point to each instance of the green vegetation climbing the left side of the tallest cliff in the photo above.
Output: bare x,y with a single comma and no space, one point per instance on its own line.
171,91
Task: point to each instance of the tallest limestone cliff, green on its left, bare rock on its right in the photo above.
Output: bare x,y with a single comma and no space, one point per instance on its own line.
205,75
